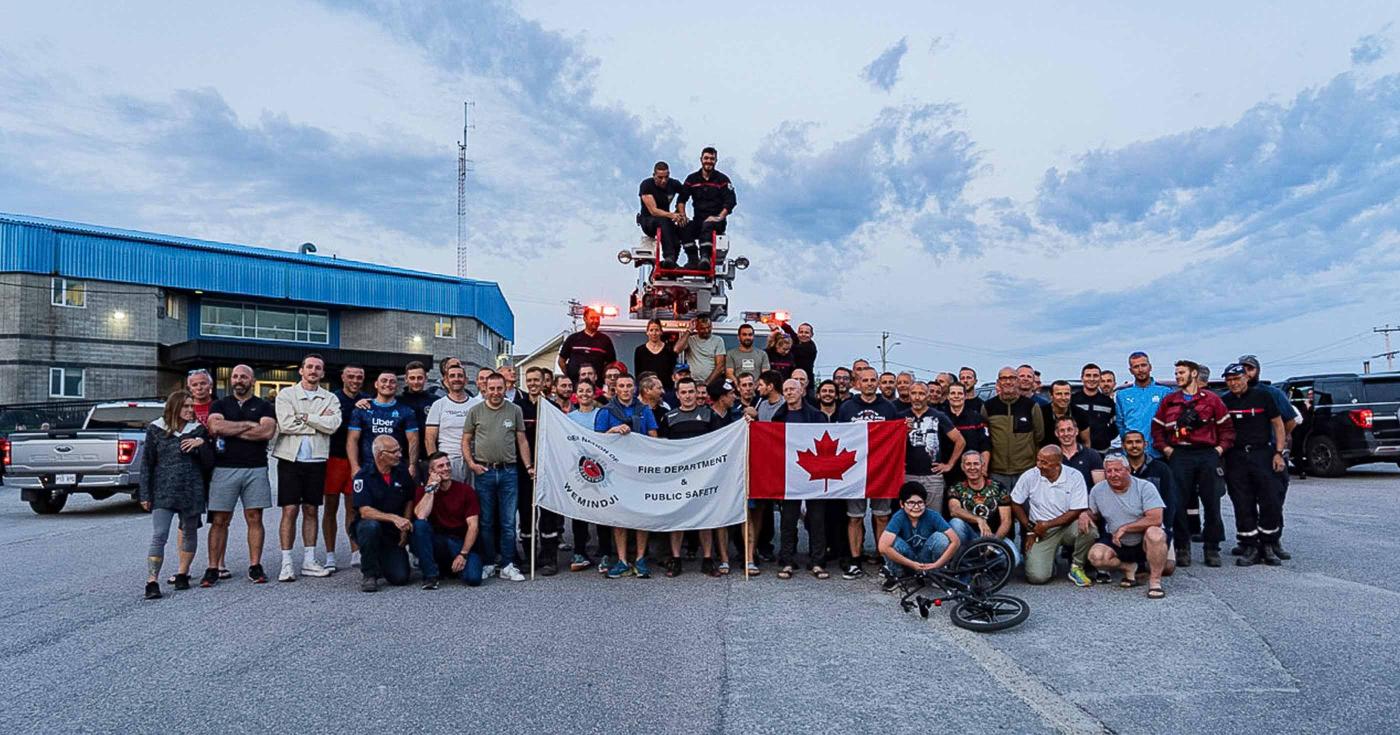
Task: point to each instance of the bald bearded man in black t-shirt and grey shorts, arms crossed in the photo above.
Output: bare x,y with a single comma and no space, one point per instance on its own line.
241,425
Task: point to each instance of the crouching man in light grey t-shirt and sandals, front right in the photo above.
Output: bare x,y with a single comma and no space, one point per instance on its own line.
1130,514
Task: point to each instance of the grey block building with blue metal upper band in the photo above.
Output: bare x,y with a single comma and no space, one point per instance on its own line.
99,313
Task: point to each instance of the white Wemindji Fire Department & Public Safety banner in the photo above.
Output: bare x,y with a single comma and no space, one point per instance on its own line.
640,482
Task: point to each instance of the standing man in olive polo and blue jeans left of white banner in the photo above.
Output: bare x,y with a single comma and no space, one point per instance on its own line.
492,439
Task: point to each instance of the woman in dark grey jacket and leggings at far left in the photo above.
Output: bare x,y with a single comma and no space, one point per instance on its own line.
173,458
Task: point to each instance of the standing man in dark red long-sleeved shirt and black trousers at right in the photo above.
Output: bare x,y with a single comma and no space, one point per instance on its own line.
1192,430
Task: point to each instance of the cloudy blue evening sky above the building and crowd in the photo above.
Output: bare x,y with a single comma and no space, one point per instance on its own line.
992,187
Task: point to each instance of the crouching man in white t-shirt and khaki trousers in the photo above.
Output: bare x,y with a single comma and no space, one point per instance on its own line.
1053,507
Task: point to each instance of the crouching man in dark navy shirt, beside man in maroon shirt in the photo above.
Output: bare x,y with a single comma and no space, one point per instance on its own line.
384,502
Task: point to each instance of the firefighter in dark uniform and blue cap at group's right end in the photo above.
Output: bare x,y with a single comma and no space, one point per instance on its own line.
1252,468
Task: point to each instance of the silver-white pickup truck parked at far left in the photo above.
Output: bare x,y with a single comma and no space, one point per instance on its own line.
101,460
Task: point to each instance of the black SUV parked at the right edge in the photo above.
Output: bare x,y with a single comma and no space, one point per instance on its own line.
1349,421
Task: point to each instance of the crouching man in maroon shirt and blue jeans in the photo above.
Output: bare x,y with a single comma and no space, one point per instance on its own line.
446,526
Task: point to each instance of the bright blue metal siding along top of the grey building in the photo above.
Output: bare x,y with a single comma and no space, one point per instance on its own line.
51,247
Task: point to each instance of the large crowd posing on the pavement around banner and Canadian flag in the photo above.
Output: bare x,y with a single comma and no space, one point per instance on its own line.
1118,479
